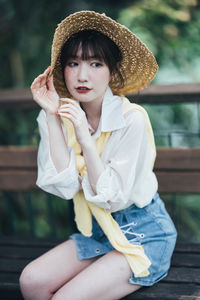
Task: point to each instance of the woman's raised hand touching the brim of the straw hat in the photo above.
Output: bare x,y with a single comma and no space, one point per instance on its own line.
44,92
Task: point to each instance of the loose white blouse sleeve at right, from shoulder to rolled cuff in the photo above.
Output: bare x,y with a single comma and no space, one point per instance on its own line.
128,171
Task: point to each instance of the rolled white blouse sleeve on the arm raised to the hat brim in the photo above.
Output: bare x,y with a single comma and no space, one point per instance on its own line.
64,184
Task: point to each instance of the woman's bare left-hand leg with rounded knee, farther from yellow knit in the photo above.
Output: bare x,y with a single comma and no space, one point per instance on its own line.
45,275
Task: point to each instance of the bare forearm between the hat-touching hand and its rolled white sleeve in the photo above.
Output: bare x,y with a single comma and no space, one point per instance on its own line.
58,147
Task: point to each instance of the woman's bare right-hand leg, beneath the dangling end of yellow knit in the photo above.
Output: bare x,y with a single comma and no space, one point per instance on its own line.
105,279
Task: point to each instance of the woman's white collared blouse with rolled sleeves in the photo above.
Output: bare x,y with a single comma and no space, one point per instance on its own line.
128,177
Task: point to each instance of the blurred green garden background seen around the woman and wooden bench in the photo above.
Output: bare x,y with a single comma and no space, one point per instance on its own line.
170,28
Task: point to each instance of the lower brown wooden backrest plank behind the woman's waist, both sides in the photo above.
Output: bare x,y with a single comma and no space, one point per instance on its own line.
177,170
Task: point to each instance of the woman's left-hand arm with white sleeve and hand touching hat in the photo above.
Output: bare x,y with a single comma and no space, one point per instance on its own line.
57,173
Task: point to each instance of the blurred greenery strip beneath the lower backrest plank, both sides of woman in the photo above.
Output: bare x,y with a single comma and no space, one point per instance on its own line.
184,210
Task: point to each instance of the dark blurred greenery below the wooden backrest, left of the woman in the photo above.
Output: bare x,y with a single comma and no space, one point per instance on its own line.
35,213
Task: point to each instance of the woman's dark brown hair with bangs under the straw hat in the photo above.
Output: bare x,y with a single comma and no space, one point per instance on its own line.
96,44
